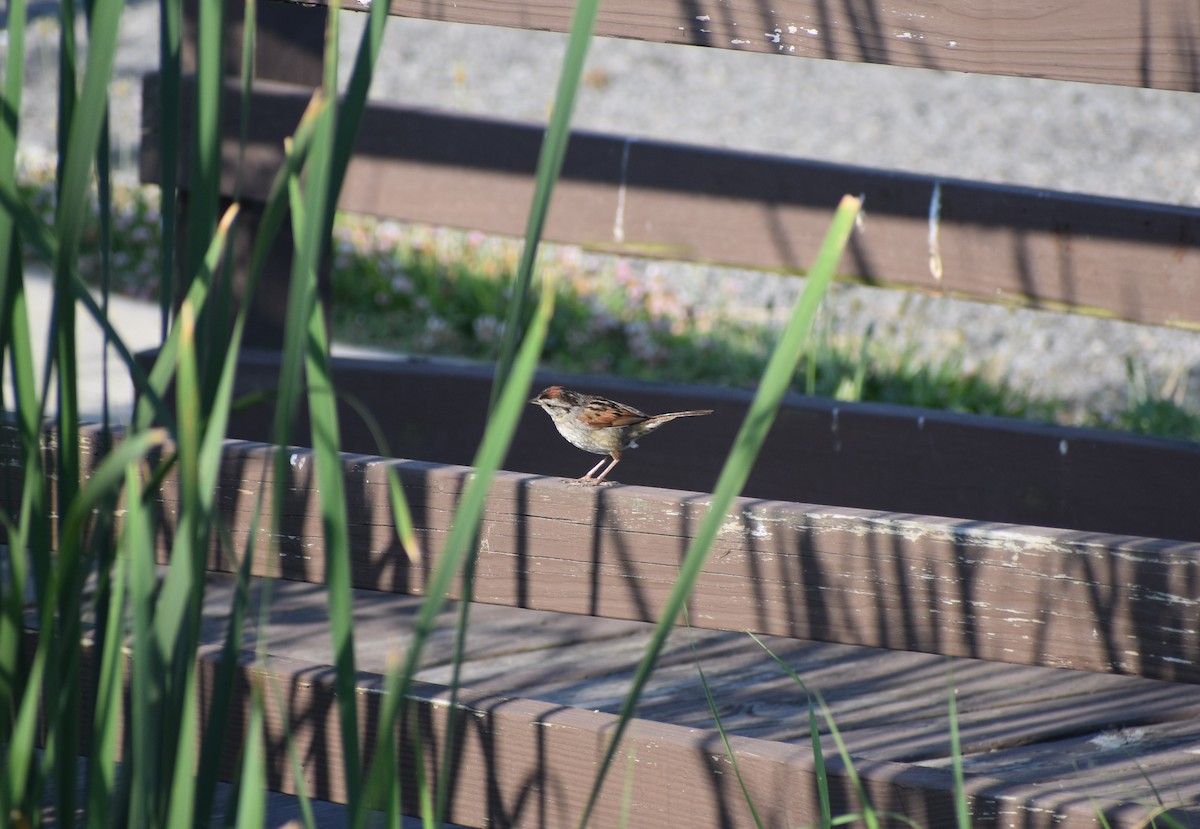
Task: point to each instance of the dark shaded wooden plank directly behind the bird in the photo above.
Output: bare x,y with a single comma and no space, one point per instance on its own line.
879,458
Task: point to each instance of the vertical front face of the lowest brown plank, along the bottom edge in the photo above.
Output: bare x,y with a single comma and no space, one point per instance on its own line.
521,761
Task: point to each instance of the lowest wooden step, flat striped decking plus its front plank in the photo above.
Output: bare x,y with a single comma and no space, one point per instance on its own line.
1042,748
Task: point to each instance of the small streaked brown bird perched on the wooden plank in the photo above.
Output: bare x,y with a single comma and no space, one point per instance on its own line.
601,425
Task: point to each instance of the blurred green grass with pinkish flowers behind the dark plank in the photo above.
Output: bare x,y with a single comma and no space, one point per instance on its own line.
428,291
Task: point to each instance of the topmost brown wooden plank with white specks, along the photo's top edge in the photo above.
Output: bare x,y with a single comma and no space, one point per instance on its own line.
1102,41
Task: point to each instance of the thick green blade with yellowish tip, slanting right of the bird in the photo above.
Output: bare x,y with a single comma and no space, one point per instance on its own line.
775,385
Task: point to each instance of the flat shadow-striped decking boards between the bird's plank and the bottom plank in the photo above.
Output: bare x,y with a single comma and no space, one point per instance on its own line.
889,706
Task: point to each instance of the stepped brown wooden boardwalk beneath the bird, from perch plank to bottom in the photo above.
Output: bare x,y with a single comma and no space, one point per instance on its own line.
1076,656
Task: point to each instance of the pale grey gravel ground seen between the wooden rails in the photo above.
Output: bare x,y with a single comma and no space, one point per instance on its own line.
1106,141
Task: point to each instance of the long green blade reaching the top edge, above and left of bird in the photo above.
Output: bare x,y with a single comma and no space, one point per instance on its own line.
550,165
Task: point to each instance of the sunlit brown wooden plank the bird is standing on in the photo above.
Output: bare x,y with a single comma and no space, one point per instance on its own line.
941,586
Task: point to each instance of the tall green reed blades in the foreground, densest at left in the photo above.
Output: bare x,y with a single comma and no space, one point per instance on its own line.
80,563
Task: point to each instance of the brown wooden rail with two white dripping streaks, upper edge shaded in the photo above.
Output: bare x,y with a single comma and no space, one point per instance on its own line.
1039,249
